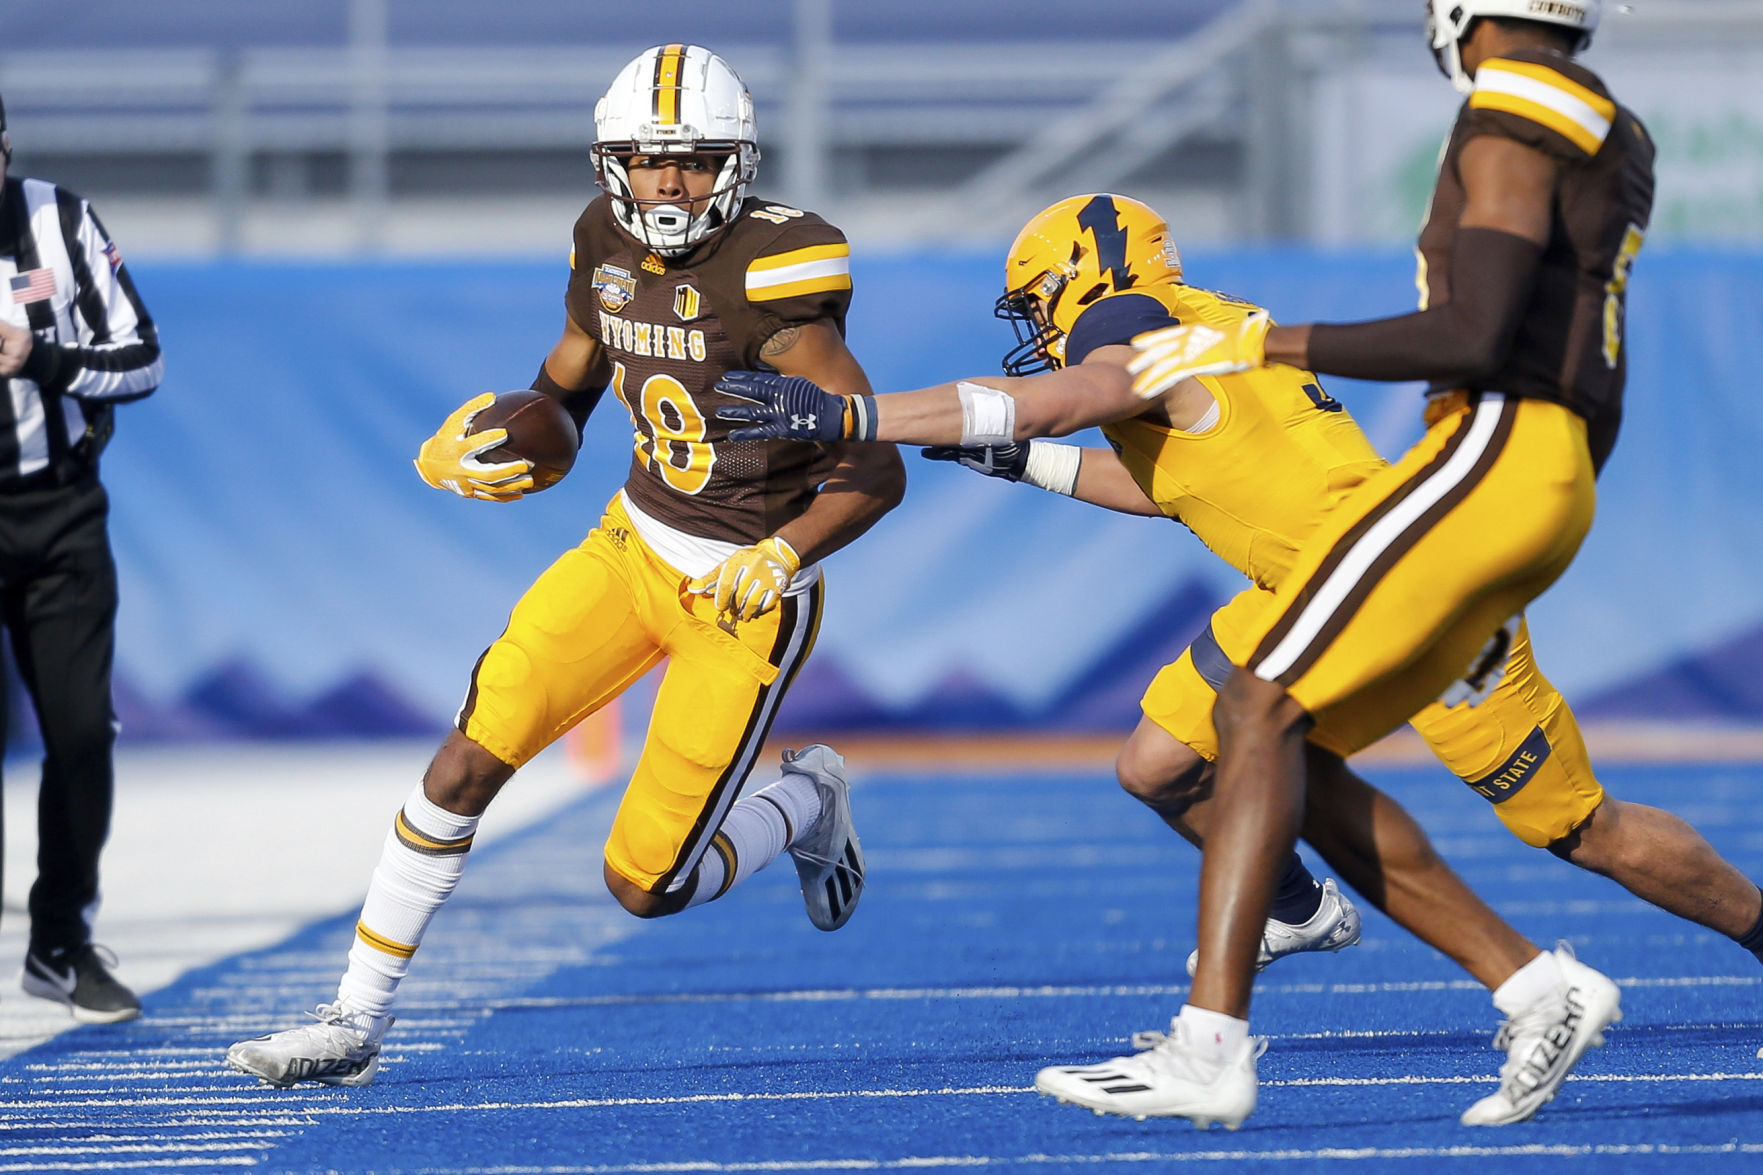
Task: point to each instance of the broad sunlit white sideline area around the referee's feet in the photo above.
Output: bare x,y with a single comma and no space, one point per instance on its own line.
230,849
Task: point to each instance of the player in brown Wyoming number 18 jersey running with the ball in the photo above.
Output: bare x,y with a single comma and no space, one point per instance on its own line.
708,557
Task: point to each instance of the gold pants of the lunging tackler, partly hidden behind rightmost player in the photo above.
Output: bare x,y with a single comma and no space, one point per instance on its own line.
1521,749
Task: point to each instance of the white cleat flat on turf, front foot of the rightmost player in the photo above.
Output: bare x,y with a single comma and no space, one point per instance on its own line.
1164,1081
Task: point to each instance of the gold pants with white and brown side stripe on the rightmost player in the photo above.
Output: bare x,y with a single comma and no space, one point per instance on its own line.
1401,588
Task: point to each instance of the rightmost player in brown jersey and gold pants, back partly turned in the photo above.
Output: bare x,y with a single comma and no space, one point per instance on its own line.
1542,204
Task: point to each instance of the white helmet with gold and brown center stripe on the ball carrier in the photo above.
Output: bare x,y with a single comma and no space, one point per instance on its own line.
676,100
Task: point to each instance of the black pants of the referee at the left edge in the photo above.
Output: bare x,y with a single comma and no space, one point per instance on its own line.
59,606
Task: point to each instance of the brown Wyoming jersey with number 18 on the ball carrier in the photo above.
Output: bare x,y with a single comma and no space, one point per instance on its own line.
673,327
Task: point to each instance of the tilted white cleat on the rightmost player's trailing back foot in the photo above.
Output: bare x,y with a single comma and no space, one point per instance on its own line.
1547,1040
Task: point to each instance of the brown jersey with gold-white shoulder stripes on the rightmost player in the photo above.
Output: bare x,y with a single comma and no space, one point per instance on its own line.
1570,345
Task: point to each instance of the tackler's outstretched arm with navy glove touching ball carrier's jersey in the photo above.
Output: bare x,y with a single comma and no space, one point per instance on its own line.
993,410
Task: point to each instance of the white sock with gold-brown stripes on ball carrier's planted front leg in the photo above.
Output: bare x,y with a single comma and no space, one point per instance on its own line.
419,867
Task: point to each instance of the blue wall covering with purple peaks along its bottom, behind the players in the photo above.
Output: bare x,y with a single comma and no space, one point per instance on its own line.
285,574
